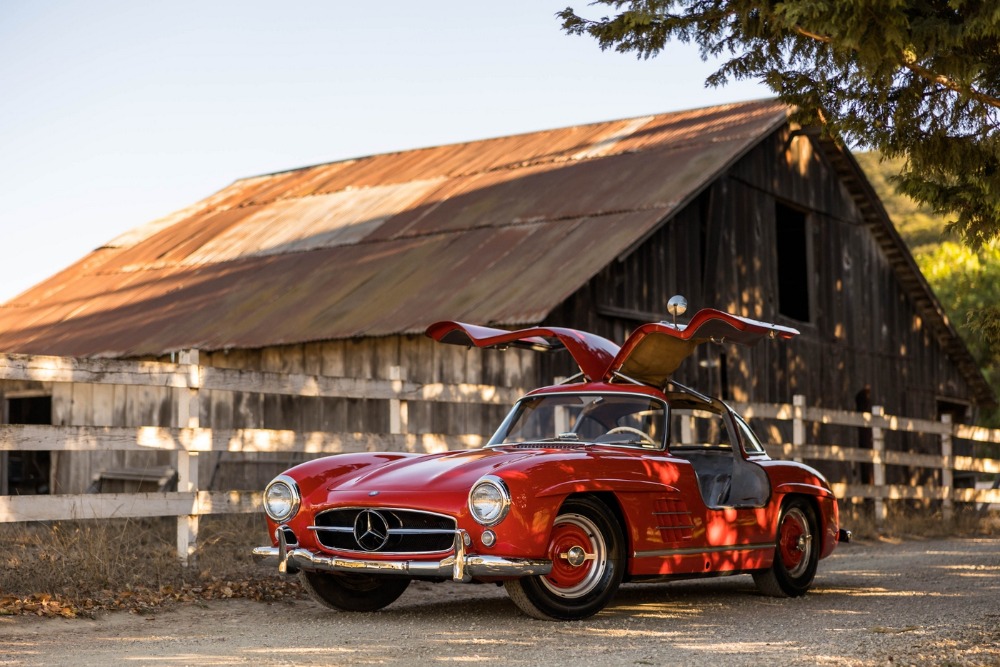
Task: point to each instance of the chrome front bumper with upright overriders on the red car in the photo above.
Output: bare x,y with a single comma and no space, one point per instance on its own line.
459,566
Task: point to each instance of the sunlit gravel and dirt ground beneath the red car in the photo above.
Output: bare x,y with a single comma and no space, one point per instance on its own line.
875,603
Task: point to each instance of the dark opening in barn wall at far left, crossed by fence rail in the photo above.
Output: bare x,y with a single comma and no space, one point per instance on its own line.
27,472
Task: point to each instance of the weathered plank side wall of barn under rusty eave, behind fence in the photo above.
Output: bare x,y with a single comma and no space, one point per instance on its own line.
416,357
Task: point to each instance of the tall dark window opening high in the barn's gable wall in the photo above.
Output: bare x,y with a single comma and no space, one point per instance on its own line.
793,262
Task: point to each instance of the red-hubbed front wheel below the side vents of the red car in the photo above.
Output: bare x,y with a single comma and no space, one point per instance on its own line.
588,561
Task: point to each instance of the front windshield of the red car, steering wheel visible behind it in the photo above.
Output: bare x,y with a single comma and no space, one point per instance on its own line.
621,419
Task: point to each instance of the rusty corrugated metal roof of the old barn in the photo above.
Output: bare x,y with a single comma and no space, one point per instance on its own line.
386,244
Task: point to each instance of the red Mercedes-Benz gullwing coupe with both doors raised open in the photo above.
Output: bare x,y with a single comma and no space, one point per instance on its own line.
618,474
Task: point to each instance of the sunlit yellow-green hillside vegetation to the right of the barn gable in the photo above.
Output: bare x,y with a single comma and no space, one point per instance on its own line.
964,280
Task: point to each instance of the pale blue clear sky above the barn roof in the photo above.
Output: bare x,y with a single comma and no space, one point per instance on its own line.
115,113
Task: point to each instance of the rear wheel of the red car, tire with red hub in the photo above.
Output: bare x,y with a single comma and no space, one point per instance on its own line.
796,552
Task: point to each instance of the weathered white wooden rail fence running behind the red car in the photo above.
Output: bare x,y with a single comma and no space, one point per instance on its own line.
189,439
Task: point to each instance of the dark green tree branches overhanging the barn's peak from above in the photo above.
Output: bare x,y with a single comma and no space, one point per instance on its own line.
918,80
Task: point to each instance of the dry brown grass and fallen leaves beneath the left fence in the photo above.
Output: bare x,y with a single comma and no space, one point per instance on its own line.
64,567
